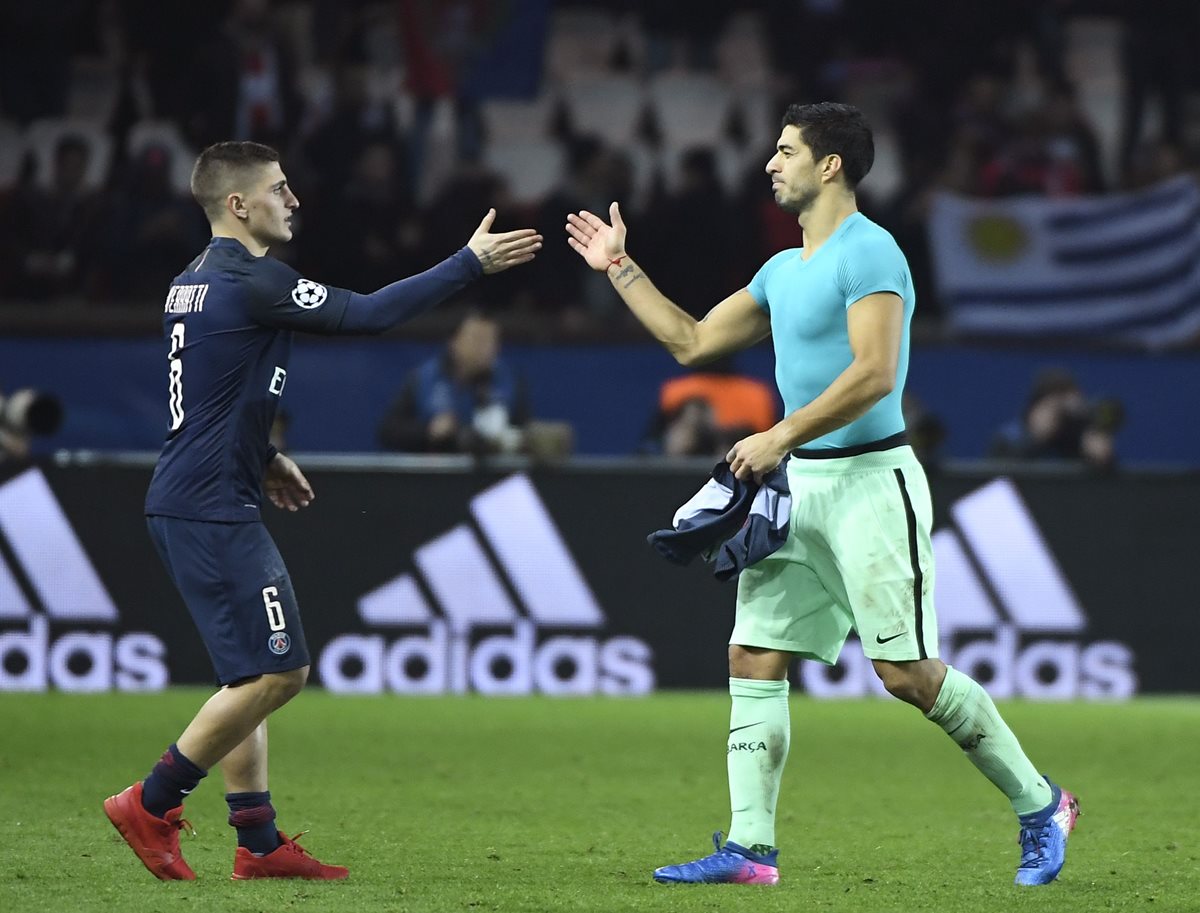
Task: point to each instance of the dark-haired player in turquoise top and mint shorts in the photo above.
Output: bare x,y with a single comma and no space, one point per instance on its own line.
859,554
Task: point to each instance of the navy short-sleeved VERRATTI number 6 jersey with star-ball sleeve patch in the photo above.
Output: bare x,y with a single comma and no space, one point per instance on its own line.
229,320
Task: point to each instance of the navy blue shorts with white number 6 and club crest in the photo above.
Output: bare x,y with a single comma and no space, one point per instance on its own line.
238,592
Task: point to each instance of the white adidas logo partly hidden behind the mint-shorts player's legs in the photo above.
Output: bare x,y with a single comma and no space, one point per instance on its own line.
1006,614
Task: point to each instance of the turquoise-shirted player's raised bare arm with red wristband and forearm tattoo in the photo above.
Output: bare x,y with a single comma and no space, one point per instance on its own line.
735,325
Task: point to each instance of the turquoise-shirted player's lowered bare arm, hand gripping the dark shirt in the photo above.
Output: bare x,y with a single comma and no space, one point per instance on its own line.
875,326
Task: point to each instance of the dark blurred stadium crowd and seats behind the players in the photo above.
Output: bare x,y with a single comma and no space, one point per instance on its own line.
400,122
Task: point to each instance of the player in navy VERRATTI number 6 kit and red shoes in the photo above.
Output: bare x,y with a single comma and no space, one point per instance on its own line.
229,322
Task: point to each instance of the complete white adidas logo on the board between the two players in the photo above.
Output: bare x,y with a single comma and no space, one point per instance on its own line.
501,609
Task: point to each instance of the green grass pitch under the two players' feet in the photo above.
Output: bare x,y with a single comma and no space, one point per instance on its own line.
470,804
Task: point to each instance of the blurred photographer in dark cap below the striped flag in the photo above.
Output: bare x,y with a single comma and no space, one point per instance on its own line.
1060,423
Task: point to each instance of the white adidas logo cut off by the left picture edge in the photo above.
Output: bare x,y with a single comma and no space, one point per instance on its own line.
49,588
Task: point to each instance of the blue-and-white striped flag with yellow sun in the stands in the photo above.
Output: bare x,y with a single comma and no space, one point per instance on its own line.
1120,268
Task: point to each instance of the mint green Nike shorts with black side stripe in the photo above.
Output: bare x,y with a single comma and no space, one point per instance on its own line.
859,558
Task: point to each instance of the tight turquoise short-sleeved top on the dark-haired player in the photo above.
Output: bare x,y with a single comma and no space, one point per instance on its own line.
808,303
